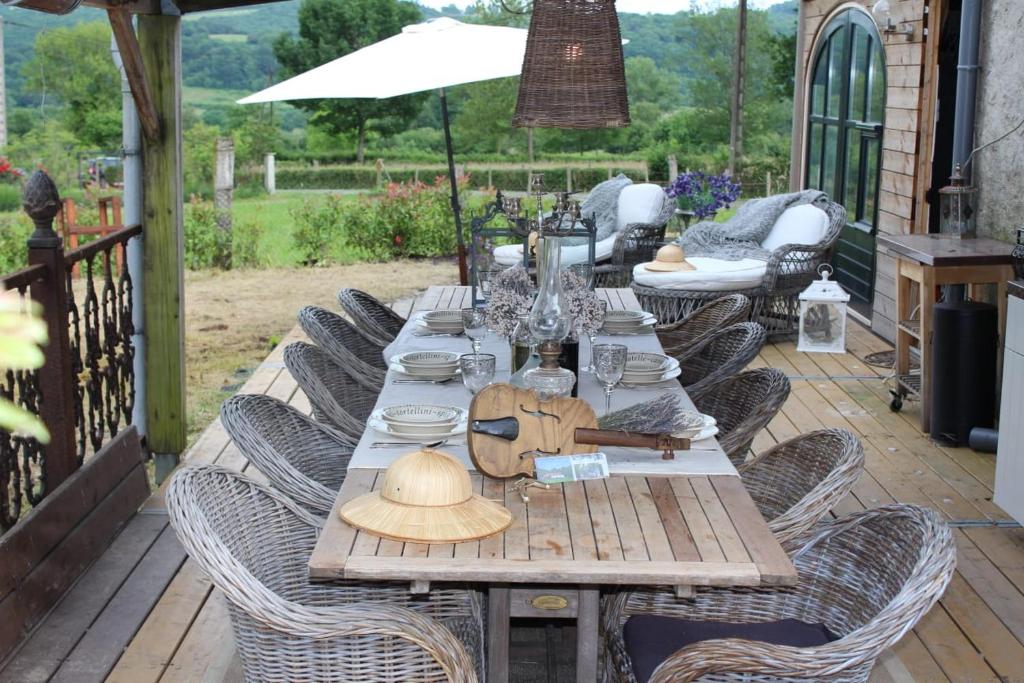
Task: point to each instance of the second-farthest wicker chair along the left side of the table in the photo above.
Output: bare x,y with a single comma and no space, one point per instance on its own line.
361,358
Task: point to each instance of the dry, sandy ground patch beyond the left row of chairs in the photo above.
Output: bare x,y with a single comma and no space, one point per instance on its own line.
234,319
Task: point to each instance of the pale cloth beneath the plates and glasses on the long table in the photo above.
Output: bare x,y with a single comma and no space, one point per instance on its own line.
705,458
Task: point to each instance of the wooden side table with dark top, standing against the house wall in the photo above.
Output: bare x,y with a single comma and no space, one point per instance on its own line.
932,261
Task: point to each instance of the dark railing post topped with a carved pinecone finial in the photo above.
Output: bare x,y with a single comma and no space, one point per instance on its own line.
42,203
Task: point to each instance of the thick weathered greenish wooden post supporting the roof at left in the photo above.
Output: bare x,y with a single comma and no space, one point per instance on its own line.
163,250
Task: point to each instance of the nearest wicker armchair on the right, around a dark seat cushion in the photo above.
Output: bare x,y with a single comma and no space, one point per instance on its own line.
869,578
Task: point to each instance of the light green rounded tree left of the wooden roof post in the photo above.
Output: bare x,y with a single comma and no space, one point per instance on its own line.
84,79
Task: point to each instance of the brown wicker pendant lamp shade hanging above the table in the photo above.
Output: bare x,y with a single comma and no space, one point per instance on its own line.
573,73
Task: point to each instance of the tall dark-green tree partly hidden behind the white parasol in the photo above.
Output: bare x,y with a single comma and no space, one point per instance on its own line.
331,29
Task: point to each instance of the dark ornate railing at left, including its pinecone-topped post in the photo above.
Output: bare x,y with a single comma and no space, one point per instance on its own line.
86,392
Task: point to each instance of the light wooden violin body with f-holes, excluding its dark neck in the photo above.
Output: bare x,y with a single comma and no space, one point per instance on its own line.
554,436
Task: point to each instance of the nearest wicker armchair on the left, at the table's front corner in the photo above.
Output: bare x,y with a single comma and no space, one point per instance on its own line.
254,545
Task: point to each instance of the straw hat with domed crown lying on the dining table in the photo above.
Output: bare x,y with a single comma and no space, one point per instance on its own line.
426,497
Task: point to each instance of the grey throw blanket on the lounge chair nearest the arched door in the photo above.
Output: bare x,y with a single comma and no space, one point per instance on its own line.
741,237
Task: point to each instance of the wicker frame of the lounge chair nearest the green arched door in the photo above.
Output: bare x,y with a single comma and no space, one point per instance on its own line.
776,305
